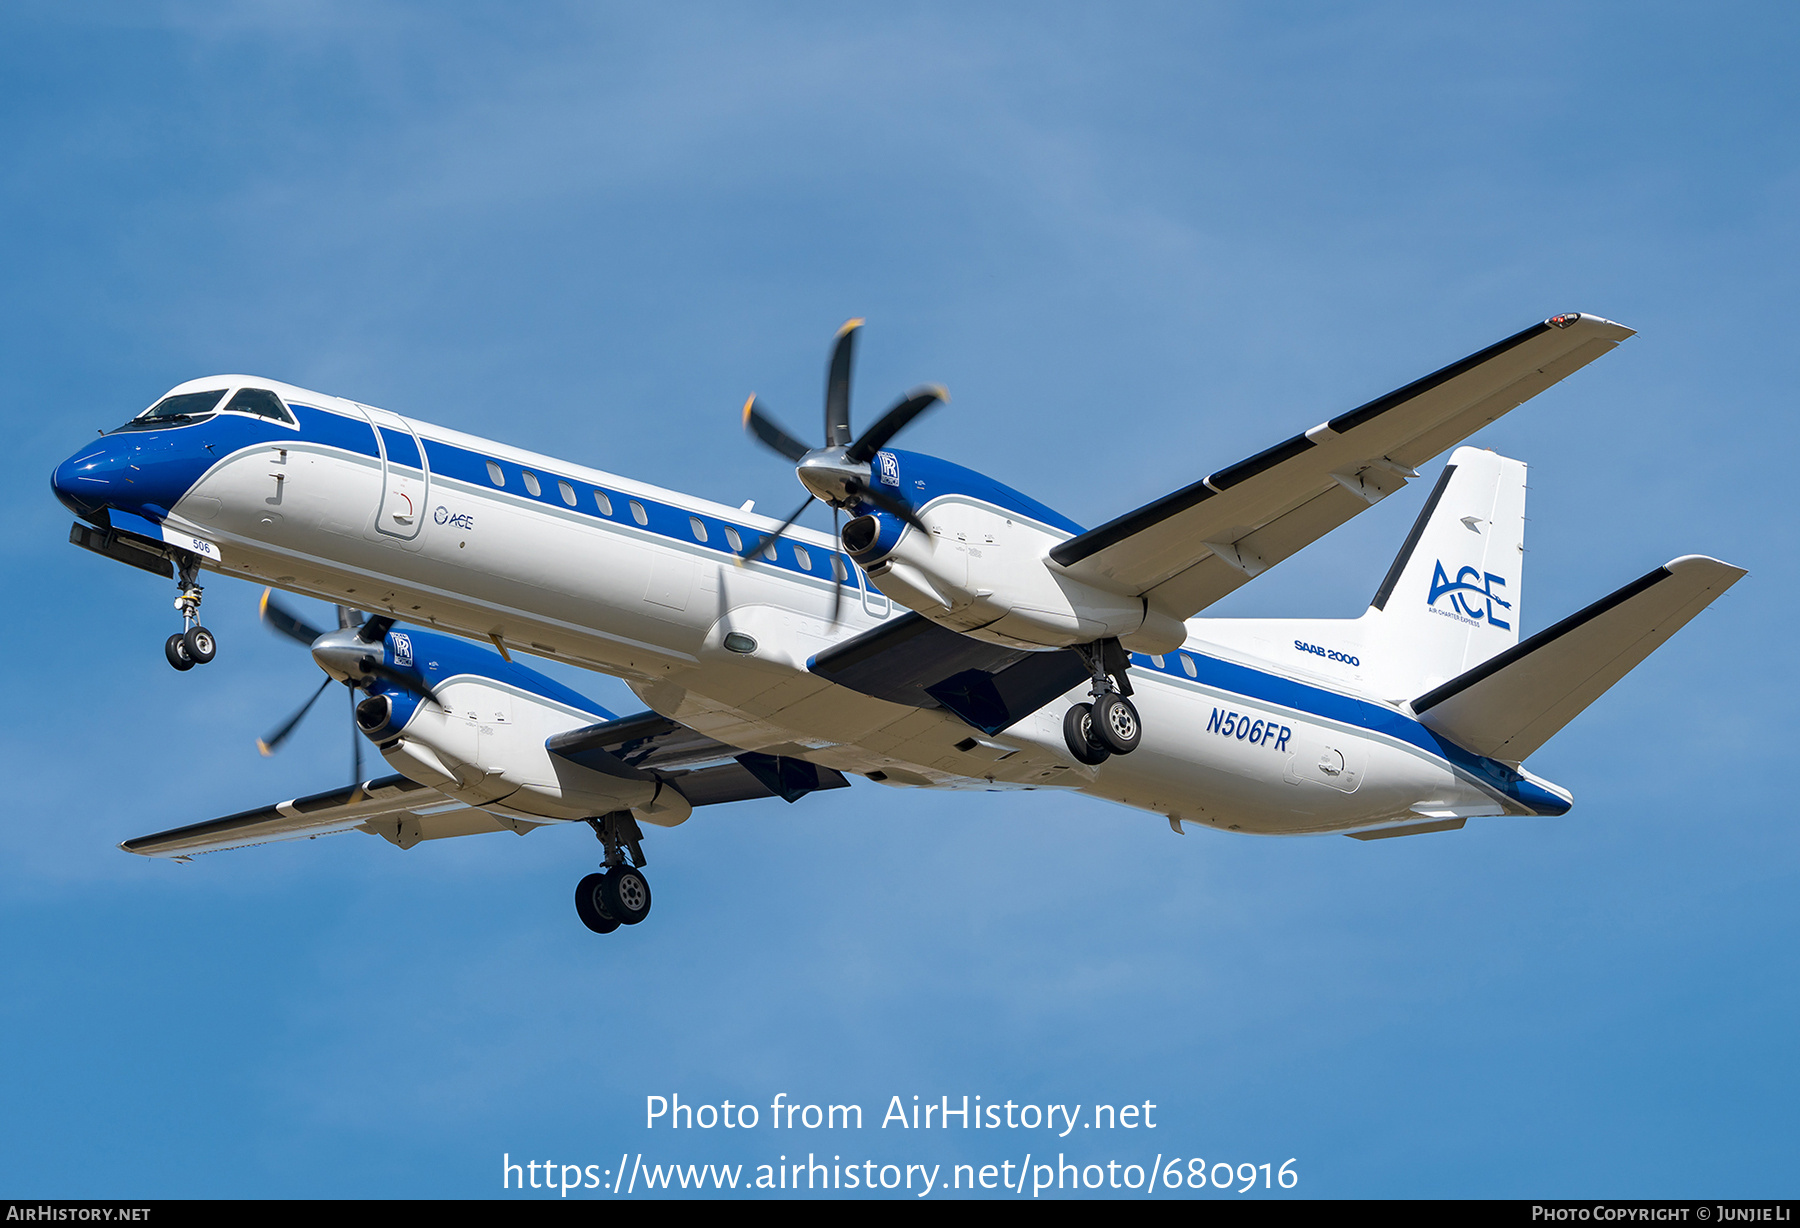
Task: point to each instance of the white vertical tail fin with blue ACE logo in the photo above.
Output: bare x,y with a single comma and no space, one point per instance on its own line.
1453,595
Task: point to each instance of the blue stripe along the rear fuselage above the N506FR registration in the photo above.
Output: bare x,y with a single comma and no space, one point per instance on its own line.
1360,714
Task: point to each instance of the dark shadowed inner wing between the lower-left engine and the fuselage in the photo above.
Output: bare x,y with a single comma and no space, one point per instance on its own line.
705,770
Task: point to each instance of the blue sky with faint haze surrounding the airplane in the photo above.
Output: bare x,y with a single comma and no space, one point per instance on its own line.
1137,244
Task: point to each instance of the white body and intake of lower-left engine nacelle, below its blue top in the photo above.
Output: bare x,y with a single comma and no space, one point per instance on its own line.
485,748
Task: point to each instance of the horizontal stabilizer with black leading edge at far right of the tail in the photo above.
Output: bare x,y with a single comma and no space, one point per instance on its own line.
1515,703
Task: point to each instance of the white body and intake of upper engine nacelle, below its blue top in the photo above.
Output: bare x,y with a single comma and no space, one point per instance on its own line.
985,573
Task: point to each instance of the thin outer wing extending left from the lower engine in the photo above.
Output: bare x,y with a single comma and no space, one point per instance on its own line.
393,808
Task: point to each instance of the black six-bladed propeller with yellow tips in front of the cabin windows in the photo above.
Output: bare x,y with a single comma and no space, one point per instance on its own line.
840,473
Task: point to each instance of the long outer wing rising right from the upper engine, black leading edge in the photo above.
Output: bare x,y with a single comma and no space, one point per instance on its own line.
1198,545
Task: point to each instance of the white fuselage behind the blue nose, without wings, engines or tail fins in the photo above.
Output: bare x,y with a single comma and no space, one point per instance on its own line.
634,591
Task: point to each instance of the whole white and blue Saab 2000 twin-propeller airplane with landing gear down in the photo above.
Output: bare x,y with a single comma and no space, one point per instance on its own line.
953,635
